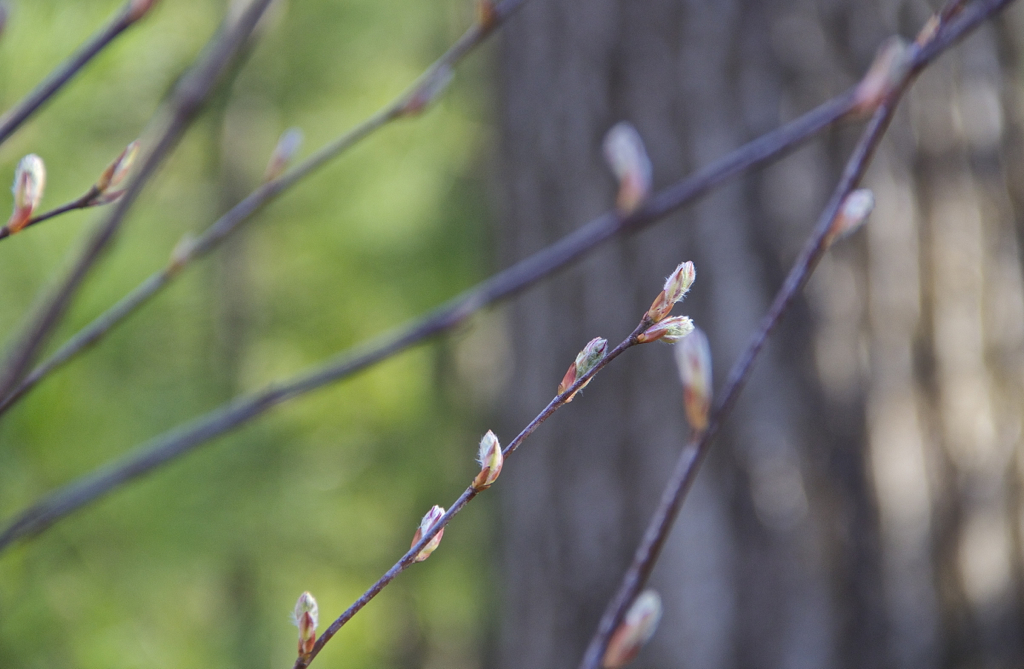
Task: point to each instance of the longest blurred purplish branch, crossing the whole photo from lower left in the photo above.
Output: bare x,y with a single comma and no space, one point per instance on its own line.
177,443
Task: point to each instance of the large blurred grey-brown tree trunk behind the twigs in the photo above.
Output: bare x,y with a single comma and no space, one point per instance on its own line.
864,507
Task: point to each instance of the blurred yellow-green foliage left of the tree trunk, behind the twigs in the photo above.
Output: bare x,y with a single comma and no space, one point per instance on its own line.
200,564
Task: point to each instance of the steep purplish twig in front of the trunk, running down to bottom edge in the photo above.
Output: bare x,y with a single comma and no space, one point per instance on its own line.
695,452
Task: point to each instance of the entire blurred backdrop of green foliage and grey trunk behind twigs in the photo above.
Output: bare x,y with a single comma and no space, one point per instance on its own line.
864,509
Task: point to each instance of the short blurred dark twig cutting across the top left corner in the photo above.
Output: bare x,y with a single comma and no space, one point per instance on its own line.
129,16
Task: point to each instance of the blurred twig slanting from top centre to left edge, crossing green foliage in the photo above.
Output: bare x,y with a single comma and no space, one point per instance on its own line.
254,202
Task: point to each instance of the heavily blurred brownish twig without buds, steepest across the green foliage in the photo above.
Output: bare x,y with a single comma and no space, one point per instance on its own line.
186,104
